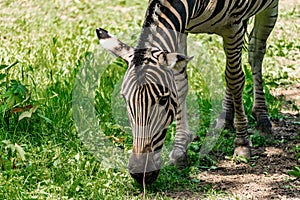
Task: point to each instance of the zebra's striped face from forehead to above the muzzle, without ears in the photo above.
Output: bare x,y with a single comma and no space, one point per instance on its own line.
149,96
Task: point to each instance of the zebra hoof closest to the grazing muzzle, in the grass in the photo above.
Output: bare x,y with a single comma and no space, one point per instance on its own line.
179,158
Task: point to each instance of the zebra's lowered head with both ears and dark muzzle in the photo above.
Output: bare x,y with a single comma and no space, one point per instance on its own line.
151,97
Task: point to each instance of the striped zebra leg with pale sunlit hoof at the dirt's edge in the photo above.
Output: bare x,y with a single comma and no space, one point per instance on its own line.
235,80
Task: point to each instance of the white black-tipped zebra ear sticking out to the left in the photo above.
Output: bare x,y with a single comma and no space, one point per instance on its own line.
114,45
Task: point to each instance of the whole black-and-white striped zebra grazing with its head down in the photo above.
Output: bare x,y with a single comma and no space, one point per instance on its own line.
155,84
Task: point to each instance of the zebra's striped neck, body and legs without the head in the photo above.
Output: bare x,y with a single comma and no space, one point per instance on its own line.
166,20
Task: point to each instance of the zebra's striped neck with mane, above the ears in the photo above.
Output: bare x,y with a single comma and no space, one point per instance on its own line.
165,24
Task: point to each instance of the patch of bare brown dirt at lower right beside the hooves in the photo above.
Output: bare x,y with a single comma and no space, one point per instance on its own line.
265,177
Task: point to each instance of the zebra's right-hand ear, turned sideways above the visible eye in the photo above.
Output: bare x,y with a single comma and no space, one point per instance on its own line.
175,61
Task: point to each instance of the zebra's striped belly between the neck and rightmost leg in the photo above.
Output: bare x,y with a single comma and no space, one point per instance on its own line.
225,20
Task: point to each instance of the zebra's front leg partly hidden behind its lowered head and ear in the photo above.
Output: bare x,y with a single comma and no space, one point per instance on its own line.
183,137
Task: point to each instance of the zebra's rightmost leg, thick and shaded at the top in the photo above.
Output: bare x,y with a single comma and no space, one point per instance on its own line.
263,25
